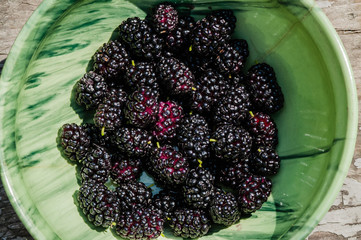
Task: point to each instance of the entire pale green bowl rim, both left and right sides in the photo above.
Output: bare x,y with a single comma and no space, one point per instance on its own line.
350,139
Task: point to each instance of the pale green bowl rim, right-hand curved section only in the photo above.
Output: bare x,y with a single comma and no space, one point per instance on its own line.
352,121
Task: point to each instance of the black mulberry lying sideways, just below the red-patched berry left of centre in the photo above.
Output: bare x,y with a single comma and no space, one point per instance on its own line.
134,142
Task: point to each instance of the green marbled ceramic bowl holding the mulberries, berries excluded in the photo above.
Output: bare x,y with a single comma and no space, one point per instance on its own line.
317,127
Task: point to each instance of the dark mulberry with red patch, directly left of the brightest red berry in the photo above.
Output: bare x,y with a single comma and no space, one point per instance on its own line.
142,107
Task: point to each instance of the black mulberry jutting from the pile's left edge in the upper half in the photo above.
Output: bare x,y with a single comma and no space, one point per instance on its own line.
90,90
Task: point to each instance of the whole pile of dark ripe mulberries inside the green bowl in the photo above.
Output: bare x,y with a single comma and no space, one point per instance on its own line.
177,132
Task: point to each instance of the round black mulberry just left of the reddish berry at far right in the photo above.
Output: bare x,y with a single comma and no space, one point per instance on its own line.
231,143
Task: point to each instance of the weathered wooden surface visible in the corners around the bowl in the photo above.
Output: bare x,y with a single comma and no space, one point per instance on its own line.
343,221
